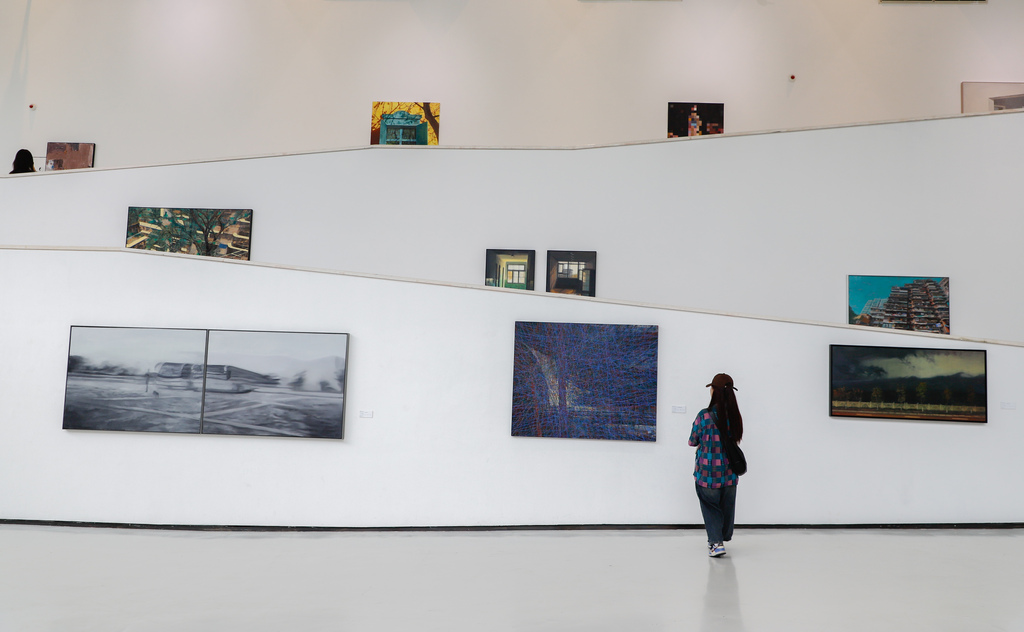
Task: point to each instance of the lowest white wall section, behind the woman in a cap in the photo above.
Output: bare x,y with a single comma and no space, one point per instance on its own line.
435,365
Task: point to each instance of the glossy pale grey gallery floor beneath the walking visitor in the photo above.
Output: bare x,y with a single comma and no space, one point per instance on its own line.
58,579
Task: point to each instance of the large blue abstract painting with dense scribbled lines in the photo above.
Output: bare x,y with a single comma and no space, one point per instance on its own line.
585,382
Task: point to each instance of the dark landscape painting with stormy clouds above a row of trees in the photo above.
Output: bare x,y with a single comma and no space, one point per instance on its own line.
909,384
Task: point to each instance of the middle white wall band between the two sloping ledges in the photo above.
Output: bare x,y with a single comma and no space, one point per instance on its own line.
761,225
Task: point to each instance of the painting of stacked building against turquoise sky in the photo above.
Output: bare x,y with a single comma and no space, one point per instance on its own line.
914,304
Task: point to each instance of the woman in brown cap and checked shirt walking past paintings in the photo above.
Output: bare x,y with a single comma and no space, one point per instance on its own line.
716,483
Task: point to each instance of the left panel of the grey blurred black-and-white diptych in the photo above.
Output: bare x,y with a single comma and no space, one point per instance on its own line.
115,384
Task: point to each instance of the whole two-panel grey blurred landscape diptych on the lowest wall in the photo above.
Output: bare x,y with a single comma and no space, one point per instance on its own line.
206,382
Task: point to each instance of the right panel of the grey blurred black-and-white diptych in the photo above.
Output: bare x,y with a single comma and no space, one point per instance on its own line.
276,384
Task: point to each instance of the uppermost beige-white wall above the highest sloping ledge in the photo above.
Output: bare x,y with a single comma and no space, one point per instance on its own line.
162,81
